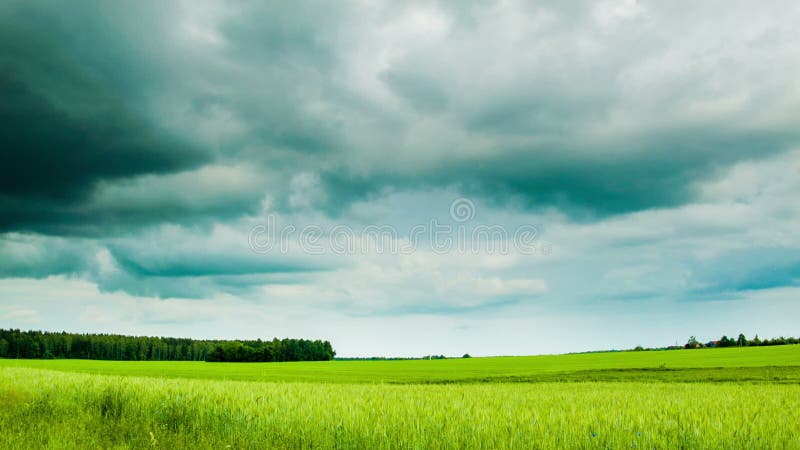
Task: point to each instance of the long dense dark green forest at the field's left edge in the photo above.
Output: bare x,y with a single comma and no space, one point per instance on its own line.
55,345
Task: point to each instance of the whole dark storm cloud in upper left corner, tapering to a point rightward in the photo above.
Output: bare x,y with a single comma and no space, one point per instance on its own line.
71,116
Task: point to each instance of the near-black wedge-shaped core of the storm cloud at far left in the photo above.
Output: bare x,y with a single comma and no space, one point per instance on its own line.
48,154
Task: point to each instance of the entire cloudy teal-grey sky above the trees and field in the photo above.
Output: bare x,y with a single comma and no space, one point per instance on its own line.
402,178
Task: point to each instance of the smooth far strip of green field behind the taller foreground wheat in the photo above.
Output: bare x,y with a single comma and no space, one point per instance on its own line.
755,362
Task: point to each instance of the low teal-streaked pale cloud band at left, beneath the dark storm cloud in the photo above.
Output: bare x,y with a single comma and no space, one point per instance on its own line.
166,262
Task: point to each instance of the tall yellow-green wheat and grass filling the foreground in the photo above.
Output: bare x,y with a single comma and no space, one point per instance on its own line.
42,408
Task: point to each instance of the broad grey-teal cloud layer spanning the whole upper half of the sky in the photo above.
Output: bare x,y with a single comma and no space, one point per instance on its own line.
599,110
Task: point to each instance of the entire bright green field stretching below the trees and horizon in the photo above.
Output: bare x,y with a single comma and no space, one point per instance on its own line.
711,398
